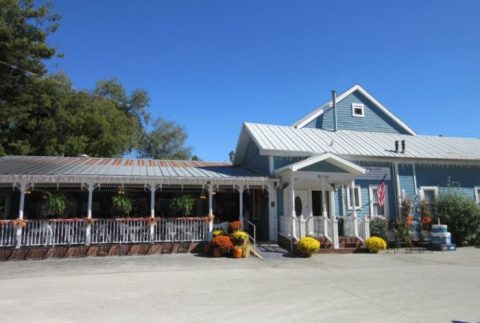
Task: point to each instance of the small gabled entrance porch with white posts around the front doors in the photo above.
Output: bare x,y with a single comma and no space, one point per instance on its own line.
310,191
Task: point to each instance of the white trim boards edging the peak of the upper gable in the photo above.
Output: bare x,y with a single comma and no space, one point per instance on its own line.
320,110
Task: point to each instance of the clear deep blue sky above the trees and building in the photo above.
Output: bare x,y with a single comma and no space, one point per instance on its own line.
211,65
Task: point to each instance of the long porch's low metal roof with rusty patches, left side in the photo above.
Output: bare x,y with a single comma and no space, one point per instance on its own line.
83,169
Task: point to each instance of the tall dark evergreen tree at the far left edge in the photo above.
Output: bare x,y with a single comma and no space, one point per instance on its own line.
24,29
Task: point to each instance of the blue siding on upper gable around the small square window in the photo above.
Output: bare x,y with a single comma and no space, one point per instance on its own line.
374,119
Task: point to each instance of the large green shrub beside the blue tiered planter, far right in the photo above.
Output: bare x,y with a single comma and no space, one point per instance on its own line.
462,215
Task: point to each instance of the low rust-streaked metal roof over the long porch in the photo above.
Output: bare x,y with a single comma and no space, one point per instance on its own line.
119,167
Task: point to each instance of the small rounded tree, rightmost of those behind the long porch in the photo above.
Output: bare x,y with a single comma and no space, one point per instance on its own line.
165,141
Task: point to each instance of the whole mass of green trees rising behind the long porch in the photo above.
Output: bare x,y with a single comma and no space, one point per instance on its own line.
43,114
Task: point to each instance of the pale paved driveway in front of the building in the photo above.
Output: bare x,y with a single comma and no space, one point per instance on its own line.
438,287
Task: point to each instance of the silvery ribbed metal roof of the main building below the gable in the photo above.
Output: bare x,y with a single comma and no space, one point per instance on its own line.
290,141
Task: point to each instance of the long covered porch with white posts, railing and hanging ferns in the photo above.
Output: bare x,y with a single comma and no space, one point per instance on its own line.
222,194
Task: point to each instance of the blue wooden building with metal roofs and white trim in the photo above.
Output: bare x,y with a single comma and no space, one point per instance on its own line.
317,177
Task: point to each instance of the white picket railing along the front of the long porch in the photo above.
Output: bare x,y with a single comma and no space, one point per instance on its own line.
57,232
